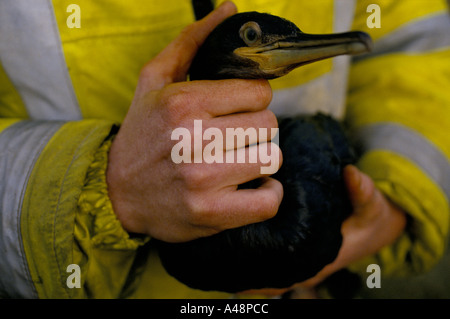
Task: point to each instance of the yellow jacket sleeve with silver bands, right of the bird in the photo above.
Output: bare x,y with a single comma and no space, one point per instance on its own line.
399,113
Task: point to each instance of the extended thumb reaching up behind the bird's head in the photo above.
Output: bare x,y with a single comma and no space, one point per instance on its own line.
172,64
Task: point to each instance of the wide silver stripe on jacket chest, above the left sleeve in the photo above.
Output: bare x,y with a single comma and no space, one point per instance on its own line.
31,54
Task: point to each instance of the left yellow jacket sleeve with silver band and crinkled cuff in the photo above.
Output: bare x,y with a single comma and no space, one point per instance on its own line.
56,214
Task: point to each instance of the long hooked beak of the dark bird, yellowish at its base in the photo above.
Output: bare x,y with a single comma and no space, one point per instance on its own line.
284,55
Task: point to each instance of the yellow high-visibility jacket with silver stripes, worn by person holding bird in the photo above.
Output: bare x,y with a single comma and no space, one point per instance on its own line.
65,88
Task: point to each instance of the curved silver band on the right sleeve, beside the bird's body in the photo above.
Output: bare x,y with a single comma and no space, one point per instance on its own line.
412,145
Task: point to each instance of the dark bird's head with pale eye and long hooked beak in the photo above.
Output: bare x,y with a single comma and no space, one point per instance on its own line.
257,45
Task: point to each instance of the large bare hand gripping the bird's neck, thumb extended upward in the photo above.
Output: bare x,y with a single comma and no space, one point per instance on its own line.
178,202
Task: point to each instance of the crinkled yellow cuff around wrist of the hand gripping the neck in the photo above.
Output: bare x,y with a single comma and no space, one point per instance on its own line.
94,202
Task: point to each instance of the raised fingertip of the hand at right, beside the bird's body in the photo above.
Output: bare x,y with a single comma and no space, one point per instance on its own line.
360,187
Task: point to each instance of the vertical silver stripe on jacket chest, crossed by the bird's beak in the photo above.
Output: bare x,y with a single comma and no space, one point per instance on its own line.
327,93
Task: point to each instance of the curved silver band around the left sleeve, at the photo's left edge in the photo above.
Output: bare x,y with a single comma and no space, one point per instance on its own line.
20,146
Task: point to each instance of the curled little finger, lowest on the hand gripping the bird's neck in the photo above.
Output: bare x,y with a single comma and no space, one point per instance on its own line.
248,206
